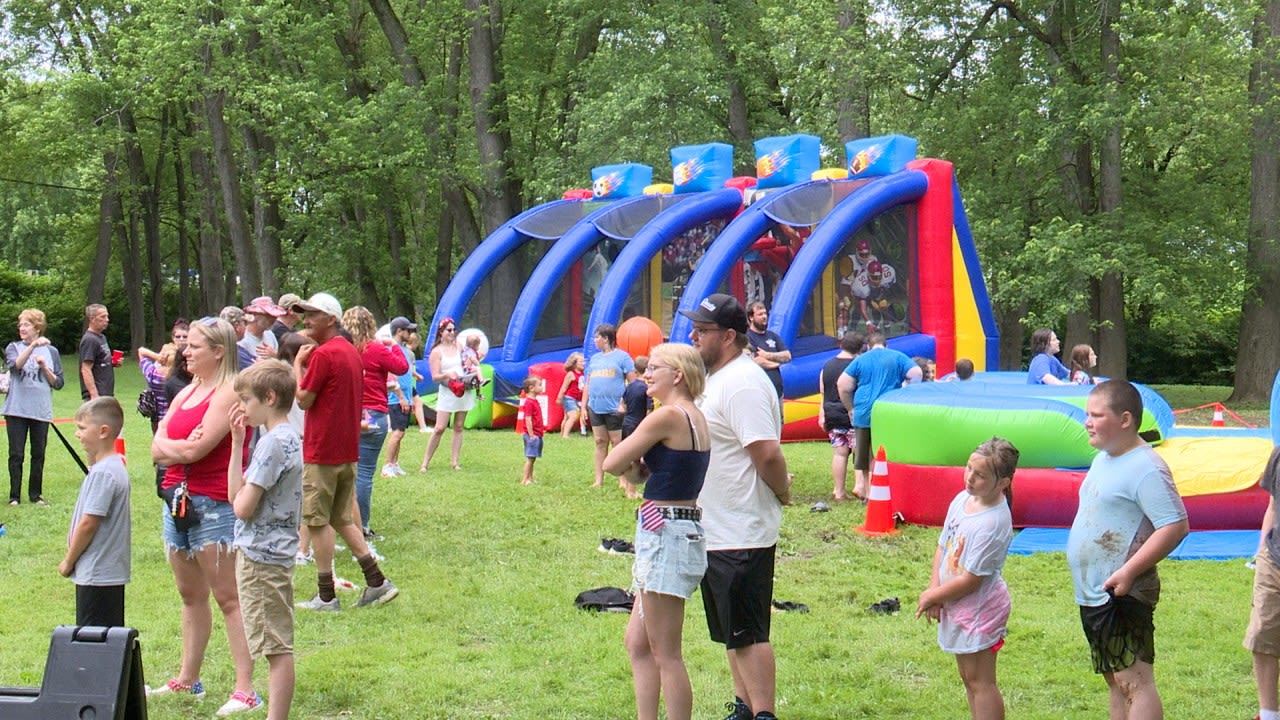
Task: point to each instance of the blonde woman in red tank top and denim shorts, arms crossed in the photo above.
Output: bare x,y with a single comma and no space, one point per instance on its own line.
194,440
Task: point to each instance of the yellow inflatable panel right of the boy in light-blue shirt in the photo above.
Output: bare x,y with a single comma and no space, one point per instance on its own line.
1213,466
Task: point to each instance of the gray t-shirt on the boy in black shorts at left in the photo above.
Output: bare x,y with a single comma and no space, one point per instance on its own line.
106,494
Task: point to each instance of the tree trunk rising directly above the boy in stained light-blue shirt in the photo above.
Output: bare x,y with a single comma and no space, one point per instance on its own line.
1113,335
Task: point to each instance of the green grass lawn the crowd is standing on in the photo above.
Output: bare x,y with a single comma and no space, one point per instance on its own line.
486,625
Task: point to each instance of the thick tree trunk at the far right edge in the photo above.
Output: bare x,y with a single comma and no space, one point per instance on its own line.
1259,350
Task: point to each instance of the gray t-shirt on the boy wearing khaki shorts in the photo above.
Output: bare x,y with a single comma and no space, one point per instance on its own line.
272,535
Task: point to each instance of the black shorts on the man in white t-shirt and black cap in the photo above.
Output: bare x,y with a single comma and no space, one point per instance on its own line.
738,591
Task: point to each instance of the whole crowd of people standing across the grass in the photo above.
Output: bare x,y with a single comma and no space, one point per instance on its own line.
268,438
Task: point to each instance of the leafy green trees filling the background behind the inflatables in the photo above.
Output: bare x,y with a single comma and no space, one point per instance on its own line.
175,158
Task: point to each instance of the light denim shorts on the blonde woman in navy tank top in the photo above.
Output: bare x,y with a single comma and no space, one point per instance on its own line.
671,560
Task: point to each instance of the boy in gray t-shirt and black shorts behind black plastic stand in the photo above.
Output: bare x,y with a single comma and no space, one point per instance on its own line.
98,548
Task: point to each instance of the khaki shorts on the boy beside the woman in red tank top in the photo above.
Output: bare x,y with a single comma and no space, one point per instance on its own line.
267,607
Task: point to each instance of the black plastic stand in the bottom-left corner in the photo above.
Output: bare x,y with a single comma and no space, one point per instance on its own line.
92,675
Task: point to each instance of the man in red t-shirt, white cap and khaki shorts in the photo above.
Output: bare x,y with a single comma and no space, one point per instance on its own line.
331,380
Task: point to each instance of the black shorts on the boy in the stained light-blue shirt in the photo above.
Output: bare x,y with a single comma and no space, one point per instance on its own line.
1121,634
